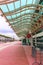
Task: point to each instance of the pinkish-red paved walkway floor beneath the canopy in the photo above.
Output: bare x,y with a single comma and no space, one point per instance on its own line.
16,54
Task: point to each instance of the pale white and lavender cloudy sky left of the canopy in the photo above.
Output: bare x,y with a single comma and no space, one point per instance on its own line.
5,29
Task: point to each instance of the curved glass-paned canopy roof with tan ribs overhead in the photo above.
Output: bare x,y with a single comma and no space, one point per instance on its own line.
21,14
